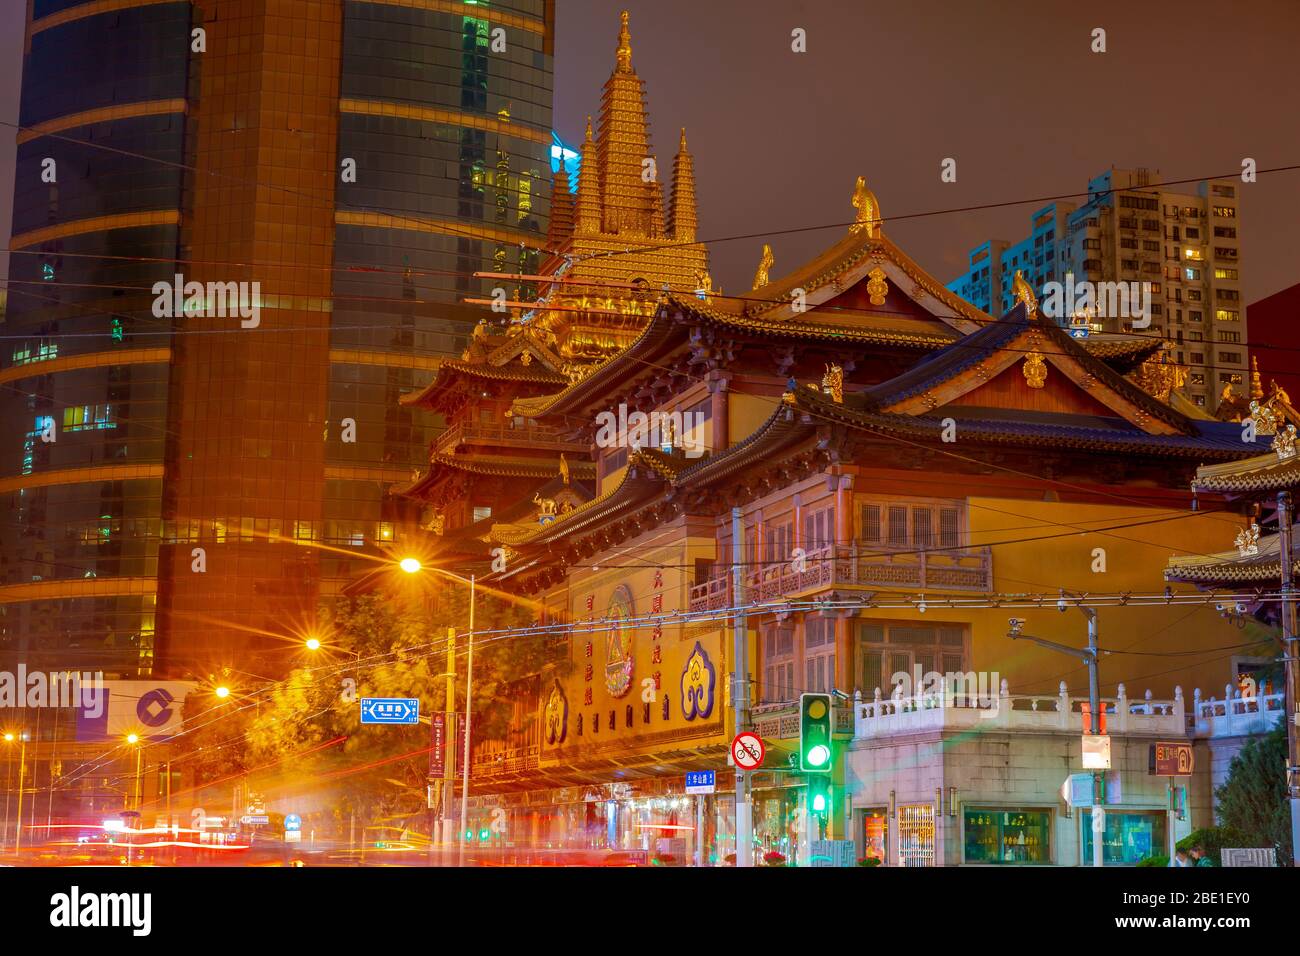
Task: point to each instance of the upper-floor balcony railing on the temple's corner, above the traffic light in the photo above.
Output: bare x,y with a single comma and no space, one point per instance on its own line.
951,569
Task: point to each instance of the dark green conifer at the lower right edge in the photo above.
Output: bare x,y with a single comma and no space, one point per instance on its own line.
1254,798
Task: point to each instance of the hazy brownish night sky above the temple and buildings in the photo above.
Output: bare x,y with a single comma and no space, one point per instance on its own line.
1011,90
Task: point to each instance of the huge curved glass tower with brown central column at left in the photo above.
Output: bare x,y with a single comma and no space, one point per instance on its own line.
179,490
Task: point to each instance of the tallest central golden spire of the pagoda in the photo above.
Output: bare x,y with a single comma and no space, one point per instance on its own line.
630,200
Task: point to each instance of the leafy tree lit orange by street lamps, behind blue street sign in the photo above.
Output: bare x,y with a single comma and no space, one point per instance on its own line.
307,726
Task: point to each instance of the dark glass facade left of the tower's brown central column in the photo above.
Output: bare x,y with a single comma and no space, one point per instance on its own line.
76,520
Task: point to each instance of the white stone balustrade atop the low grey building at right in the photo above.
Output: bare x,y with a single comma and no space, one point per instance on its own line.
980,710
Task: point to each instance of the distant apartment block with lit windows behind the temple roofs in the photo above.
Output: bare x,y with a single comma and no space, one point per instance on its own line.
1184,246
